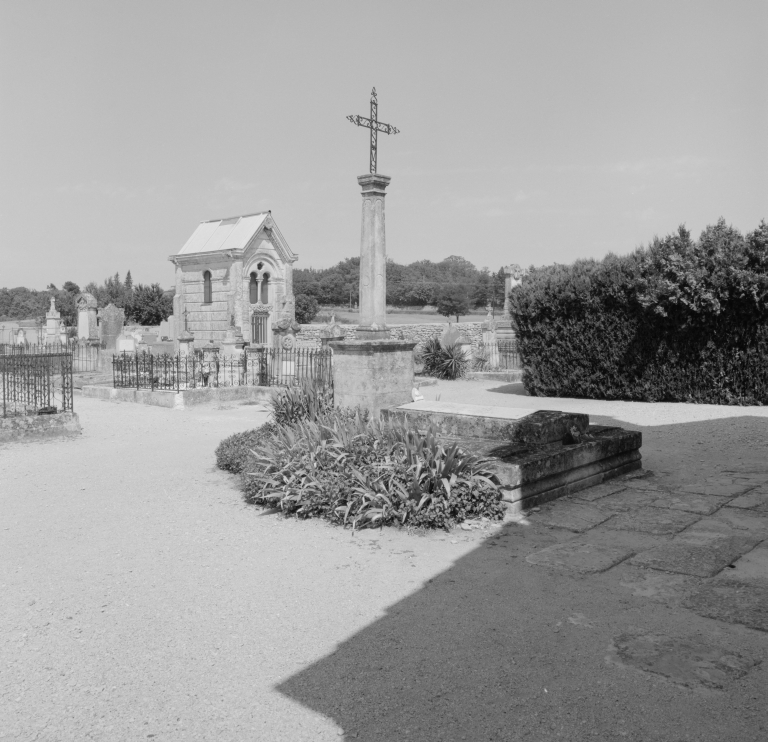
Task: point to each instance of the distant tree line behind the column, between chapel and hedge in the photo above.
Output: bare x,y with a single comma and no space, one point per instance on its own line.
453,285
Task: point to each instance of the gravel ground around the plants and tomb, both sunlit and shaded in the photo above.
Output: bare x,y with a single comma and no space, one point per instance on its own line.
143,600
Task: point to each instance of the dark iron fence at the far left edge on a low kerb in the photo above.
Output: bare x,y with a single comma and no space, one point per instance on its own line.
36,383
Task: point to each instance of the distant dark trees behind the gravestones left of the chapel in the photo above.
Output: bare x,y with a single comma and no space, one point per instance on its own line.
144,304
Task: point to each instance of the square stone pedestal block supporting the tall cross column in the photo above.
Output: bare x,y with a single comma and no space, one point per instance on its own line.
373,374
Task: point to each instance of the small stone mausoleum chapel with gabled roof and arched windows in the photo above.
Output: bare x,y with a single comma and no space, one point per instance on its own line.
234,273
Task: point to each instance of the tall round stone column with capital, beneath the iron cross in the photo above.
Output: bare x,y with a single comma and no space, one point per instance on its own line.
373,259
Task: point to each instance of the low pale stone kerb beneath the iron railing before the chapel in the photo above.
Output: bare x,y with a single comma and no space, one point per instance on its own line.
185,398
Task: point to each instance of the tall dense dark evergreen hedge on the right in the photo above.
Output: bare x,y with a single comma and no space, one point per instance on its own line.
679,320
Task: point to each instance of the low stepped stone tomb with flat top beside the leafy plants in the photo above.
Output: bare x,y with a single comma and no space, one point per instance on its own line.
537,455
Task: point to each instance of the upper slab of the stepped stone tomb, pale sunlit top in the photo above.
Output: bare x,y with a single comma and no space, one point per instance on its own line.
520,428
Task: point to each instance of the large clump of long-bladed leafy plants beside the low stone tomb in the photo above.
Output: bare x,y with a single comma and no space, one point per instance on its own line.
364,473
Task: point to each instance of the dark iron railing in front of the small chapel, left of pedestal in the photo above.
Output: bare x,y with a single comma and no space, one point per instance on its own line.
204,368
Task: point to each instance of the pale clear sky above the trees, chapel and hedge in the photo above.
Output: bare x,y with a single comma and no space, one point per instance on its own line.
531,131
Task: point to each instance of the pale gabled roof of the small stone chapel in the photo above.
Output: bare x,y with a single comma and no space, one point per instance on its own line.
236,233
